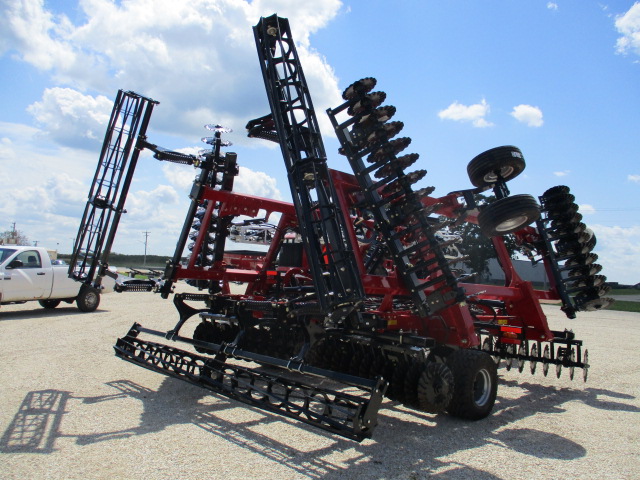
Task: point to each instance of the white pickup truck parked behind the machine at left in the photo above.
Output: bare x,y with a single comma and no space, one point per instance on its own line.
27,274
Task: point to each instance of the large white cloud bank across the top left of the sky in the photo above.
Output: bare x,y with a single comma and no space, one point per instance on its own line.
197,57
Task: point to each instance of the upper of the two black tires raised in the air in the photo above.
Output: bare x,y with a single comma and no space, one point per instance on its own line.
506,161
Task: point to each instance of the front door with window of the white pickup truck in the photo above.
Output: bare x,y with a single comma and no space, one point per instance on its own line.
28,281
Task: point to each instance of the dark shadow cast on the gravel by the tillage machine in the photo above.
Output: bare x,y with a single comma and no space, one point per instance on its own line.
406,442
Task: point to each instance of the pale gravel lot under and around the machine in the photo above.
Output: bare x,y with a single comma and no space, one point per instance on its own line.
69,409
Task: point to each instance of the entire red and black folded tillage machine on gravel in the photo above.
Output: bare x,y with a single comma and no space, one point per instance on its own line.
358,284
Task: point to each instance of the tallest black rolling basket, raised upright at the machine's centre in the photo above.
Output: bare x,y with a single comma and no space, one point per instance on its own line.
322,223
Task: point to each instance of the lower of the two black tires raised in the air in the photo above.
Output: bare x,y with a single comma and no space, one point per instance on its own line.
507,215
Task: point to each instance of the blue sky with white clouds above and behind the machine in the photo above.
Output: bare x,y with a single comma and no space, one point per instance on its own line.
559,79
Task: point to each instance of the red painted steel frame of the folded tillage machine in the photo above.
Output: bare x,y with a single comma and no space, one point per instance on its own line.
521,319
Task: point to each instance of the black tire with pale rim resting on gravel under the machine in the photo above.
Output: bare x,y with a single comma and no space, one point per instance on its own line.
476,384
